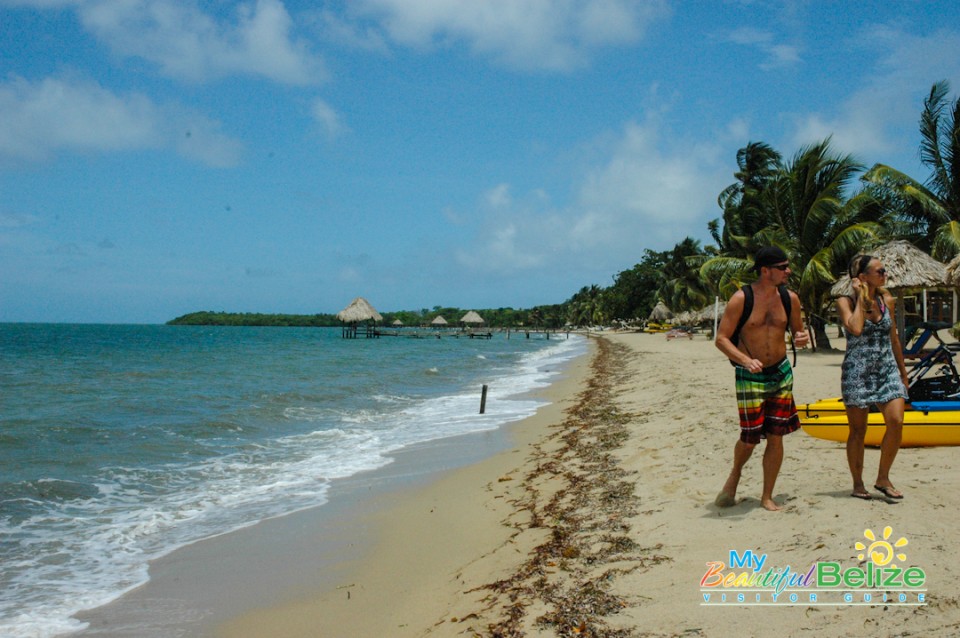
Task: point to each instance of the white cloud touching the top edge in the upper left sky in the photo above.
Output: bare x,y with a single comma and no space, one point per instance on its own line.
187,43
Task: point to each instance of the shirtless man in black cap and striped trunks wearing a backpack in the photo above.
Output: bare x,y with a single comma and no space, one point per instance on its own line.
764,378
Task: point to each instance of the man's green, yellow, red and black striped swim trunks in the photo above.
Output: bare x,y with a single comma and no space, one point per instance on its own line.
765,402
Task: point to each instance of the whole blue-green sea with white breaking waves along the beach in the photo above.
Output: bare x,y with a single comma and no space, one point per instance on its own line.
121,443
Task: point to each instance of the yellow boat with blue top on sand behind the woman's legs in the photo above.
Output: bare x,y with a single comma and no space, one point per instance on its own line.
925,423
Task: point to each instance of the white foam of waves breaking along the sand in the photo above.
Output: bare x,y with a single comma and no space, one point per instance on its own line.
84,551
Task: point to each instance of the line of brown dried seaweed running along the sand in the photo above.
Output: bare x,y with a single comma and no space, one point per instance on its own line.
581,497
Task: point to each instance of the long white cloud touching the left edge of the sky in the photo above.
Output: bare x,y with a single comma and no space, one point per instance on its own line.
42,118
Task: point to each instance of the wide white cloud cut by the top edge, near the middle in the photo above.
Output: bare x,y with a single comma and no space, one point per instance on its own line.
525,34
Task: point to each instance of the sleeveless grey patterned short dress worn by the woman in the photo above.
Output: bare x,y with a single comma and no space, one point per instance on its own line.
869,373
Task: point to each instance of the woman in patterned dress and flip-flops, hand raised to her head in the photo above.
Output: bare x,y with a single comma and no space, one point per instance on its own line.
873,371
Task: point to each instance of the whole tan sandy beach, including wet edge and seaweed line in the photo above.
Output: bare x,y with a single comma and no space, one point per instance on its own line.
599,520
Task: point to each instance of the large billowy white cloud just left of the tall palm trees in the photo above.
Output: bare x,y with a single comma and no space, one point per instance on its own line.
641,196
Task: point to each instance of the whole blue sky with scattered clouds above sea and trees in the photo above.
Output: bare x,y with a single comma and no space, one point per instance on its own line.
163,156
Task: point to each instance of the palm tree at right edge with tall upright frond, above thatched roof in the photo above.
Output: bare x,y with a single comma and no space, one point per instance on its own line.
932,209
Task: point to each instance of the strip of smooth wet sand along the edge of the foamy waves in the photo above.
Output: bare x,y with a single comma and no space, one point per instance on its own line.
201,585
